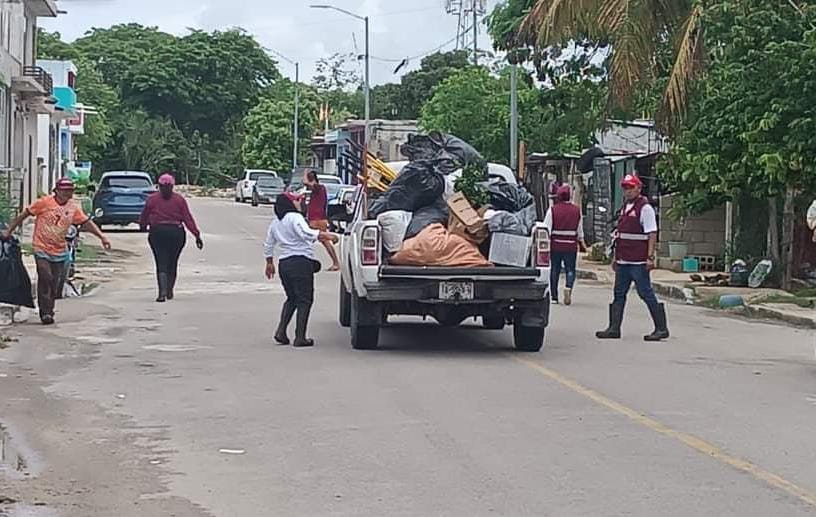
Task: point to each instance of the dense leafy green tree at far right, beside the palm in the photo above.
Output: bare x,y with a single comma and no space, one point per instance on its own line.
752,126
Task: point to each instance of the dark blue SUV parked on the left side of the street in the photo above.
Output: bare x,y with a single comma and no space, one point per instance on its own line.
121,197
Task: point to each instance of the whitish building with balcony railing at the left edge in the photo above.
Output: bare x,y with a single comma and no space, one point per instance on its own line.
25,91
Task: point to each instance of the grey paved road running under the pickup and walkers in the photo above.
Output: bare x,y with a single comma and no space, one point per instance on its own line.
123,408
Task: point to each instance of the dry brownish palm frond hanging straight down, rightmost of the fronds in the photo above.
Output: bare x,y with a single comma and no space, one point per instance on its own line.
688,63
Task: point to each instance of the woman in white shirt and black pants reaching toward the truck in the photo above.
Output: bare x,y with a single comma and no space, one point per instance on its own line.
291,241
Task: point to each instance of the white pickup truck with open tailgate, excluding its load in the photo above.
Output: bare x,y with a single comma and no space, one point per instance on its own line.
371,290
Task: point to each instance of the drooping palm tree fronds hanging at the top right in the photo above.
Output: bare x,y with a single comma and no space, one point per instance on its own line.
636,30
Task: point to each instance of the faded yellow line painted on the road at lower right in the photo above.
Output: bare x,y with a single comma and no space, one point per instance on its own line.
698,444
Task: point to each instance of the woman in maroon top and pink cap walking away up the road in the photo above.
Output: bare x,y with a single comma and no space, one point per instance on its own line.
165,215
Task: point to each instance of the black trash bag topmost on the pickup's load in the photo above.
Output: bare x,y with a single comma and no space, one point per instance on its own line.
449,153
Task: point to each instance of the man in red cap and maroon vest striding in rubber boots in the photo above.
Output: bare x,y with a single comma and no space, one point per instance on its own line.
635,240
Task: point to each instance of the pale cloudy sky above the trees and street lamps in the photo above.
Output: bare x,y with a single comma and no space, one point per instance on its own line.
399,28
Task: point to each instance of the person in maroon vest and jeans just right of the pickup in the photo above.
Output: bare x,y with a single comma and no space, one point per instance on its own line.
564,222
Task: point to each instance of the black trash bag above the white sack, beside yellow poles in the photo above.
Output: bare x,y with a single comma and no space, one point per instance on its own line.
417,186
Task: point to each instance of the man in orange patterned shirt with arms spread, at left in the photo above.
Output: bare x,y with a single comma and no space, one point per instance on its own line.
55,214
